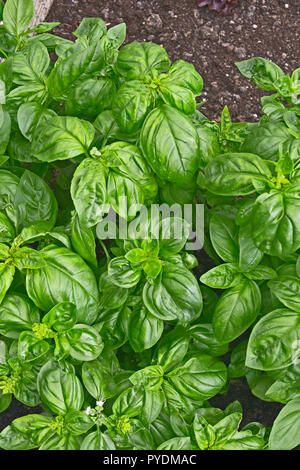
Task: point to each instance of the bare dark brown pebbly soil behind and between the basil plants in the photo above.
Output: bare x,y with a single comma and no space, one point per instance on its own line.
213,43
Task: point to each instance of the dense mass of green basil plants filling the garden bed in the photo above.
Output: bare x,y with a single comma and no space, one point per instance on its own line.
120,349
